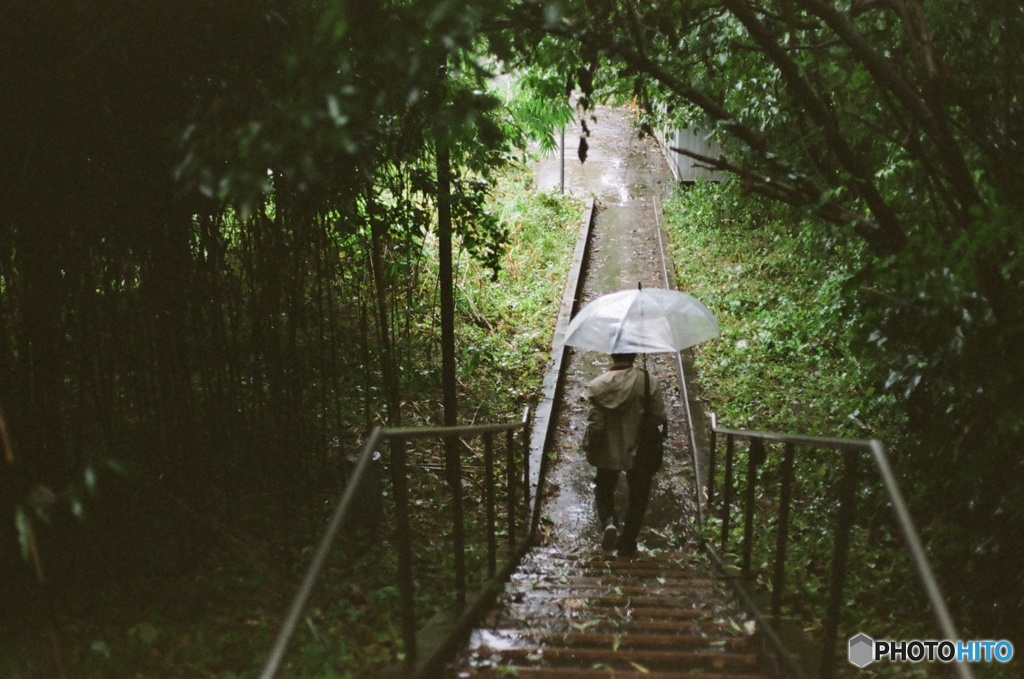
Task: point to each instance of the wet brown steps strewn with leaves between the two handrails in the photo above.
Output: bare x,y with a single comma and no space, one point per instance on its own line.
592,616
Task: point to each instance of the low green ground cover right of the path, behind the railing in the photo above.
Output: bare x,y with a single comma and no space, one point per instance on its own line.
792,359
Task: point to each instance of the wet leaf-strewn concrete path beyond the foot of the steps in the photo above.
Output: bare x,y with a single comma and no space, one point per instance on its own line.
625,175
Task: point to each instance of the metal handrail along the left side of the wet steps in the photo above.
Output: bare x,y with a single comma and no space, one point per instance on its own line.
398,438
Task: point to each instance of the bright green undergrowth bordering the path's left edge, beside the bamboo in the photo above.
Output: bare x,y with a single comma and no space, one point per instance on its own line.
504,337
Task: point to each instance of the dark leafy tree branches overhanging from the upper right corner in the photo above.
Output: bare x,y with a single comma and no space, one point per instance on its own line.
839,111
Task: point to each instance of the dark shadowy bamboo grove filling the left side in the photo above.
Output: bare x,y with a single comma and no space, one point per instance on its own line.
214,249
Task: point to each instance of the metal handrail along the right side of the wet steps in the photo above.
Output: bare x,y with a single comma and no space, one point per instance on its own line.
852,450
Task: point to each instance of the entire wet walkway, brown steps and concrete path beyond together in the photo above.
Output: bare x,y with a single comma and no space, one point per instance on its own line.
570,610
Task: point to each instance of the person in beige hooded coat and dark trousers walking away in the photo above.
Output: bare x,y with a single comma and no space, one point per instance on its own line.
615,442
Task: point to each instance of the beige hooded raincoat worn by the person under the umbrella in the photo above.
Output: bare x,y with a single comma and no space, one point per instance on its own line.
616,411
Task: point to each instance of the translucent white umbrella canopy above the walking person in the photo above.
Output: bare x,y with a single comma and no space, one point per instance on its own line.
644,321
